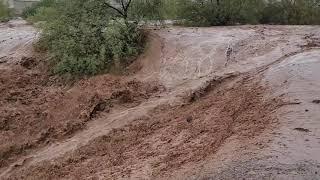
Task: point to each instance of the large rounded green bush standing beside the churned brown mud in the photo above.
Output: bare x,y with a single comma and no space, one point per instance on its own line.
85,38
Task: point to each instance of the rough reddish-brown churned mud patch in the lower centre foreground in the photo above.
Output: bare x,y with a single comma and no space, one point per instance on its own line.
187,133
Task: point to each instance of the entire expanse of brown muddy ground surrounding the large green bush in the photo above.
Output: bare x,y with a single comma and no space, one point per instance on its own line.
187,111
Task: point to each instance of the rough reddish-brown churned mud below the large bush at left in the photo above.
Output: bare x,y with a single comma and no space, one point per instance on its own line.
44,112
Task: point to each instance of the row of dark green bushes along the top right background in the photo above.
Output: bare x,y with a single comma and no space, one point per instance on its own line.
229,12
